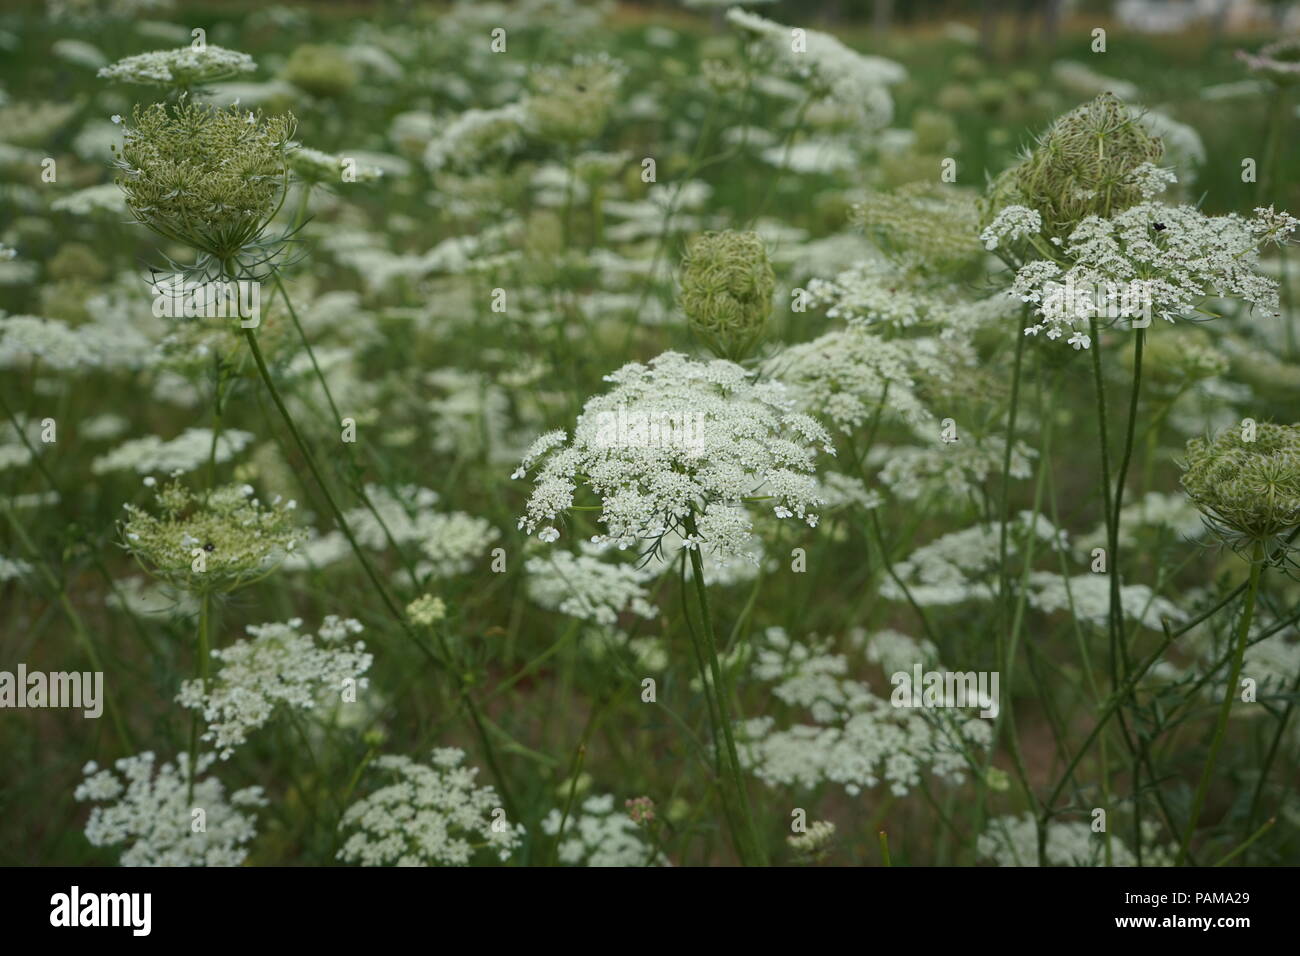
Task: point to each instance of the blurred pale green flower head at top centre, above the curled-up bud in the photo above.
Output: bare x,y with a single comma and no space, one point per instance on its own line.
571,105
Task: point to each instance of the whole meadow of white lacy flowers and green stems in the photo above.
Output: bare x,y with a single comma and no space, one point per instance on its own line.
599,435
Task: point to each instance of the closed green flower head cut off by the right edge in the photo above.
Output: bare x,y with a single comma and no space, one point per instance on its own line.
1247,482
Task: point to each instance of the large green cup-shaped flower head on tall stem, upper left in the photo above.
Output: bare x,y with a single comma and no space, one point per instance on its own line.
206,178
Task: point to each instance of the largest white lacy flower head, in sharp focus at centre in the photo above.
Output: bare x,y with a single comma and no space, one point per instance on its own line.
749,444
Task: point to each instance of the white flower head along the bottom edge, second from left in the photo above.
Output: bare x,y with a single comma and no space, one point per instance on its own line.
428,816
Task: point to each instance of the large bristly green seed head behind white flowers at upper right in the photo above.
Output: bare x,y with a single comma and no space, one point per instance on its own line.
1084,166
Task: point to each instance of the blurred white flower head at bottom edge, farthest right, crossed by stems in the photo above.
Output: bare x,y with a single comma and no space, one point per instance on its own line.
1015,842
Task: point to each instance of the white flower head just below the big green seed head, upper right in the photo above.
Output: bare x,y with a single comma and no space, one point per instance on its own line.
1154,261
